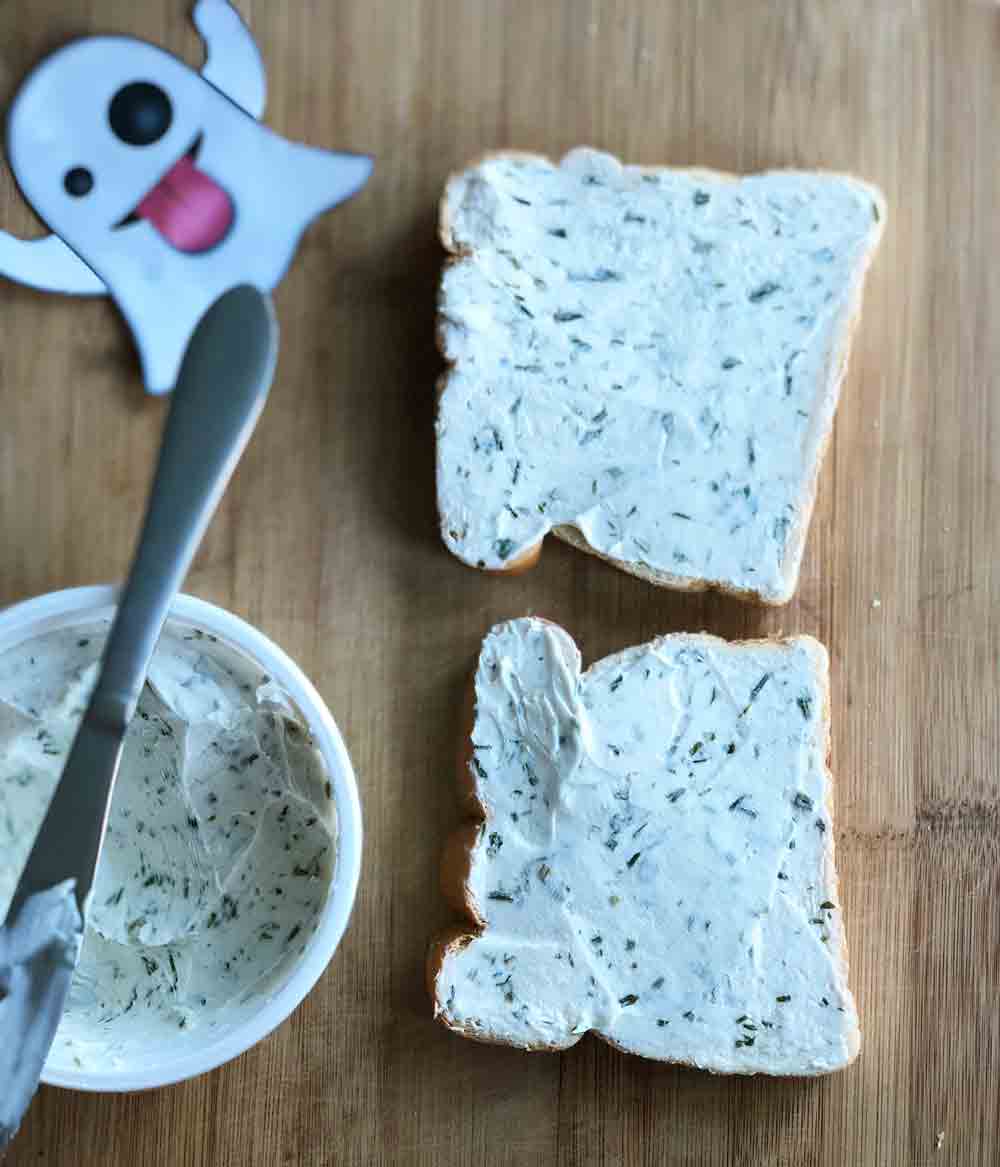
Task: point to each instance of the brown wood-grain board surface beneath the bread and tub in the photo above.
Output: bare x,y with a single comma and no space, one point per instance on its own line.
327,541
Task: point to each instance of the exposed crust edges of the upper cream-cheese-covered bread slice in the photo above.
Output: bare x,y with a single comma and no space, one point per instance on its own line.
837,369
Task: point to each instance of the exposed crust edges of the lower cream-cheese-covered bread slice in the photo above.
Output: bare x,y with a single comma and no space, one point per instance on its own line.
458,858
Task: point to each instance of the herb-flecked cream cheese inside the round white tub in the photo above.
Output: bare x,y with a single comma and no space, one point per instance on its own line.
221,854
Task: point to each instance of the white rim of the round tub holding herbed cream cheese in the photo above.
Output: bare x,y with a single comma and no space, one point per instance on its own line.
207,1051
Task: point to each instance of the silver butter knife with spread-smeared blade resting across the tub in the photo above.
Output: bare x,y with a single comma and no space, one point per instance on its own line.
220,395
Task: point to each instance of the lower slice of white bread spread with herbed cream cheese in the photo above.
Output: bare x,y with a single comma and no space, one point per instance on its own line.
652,856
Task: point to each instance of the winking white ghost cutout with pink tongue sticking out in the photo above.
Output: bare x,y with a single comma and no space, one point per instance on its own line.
163,190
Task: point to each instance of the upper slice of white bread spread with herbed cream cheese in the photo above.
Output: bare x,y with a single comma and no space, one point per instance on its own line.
645,362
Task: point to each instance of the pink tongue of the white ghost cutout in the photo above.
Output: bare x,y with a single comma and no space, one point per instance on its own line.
188,208
